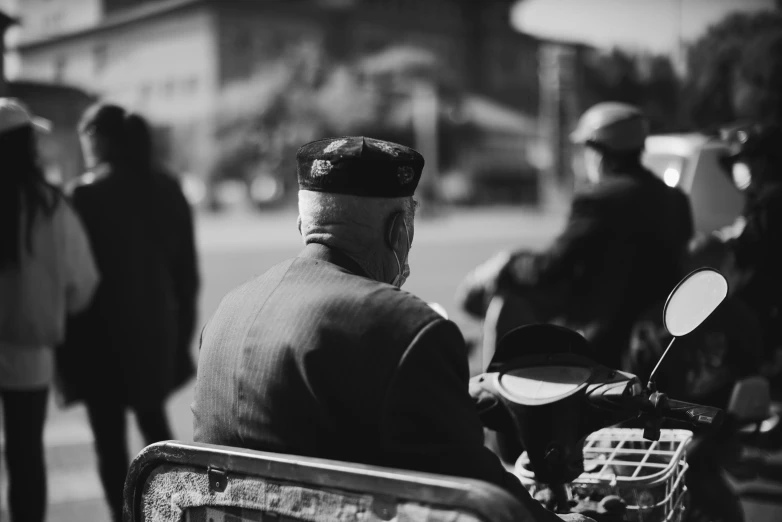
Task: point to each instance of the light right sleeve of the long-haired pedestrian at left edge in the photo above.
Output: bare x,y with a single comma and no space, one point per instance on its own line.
82,276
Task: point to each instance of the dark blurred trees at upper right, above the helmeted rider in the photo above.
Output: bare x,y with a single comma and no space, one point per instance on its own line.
707,96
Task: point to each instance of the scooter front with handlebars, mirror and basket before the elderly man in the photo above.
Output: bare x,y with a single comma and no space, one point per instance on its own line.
542,387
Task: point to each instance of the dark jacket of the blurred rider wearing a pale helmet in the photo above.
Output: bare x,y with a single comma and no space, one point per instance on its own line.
622,250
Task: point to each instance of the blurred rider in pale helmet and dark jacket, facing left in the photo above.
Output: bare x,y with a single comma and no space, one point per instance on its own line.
621,250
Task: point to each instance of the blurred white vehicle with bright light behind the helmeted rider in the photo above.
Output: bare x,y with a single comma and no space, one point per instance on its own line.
692,163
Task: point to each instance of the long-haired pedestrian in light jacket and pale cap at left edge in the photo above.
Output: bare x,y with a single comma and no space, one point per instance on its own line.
46,271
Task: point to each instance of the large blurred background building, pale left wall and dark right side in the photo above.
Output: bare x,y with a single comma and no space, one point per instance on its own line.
170,59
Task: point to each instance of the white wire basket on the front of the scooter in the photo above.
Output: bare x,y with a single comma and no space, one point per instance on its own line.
647,475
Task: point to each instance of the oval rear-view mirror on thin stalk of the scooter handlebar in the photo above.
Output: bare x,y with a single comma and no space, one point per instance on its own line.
693,300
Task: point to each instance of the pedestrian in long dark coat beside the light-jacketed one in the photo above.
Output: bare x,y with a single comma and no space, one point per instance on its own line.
131,349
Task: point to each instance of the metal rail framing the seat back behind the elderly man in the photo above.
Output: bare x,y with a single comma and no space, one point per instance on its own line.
486,501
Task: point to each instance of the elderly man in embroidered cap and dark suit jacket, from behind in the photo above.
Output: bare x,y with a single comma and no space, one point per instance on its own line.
325,356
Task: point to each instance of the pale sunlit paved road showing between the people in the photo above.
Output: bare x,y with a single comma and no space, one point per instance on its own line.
235,248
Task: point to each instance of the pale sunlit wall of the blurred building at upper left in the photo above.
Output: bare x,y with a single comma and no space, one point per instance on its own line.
156,57
